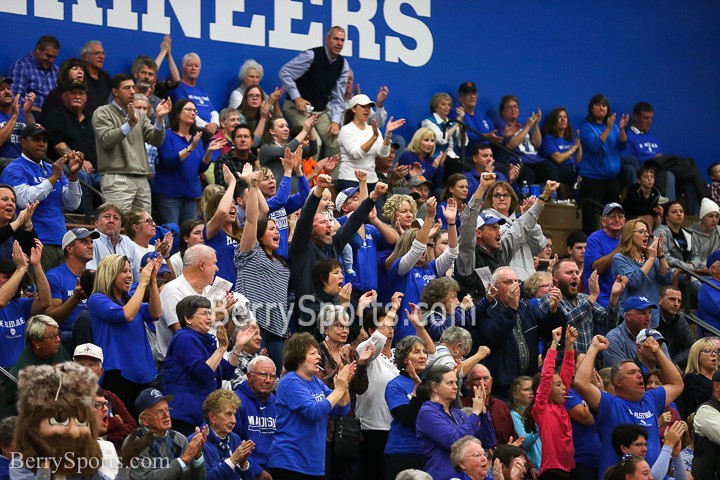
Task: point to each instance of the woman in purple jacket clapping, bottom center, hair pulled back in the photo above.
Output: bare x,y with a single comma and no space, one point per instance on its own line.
439,424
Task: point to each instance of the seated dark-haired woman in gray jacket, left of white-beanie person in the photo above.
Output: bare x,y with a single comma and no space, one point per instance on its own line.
678,244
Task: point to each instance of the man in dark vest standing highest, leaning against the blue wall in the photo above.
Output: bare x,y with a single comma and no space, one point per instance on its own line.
315,82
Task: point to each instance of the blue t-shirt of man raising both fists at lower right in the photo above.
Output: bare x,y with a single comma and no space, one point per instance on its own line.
614,411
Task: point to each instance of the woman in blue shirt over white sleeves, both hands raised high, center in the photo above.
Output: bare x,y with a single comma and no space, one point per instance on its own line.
408,267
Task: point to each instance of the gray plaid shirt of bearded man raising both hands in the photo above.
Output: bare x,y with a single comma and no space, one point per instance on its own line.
584,316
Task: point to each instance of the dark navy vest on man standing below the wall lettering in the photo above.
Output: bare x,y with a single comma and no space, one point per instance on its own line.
316,84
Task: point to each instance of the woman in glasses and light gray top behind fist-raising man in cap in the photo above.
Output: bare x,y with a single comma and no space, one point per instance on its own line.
501,201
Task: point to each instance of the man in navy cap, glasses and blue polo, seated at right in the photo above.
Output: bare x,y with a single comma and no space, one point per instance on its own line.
601,248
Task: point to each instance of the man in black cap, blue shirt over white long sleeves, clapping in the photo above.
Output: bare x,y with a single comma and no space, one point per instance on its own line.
34,180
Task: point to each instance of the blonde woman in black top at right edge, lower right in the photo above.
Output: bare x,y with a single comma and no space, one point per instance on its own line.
702,363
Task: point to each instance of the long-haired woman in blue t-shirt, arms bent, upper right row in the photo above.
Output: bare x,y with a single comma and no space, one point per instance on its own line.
559,145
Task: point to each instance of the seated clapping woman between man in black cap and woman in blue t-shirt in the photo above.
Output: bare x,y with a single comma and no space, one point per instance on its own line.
526,141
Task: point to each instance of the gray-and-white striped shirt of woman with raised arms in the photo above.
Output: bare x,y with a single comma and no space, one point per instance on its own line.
264,281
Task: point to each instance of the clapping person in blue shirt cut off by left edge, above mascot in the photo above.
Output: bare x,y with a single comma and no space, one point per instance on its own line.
14,309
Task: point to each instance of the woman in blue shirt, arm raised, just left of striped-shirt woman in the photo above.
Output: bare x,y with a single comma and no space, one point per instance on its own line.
222,231
